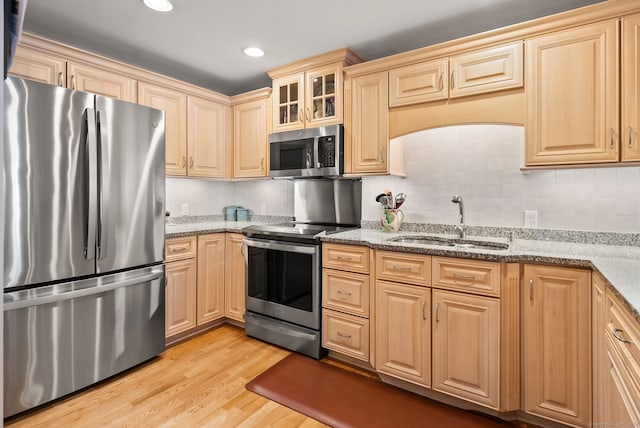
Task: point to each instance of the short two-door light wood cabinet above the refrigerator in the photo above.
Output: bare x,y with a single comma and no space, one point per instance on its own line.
51,69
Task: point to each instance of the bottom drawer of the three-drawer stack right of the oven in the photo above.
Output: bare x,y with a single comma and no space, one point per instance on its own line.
345,334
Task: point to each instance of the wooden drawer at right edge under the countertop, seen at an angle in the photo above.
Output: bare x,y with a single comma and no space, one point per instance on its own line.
624,333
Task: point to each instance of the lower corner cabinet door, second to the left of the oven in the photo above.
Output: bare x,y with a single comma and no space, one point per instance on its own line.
211,252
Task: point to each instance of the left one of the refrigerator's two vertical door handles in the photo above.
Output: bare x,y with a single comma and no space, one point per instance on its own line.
92,185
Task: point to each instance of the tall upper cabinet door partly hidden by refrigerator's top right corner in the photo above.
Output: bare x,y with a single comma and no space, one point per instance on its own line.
174,104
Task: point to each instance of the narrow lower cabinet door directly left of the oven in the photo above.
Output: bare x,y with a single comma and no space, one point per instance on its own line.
234,277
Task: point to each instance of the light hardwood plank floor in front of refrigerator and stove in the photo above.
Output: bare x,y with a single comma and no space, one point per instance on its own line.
197,383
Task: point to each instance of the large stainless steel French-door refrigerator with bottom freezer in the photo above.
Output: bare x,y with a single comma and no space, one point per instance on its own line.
83,240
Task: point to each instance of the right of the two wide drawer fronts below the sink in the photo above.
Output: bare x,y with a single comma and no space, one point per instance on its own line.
472,276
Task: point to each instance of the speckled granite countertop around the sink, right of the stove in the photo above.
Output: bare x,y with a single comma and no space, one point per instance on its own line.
618,264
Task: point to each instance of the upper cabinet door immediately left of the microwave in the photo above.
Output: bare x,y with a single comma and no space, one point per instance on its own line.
250,139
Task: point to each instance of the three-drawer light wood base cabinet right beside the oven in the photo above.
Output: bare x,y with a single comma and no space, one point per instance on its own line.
346,301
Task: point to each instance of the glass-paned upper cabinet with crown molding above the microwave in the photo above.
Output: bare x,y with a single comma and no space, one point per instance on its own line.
309,93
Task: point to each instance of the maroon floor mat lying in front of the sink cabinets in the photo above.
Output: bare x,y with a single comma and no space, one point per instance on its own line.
340,398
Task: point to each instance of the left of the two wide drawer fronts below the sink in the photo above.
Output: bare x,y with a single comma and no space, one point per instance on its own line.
403,267
